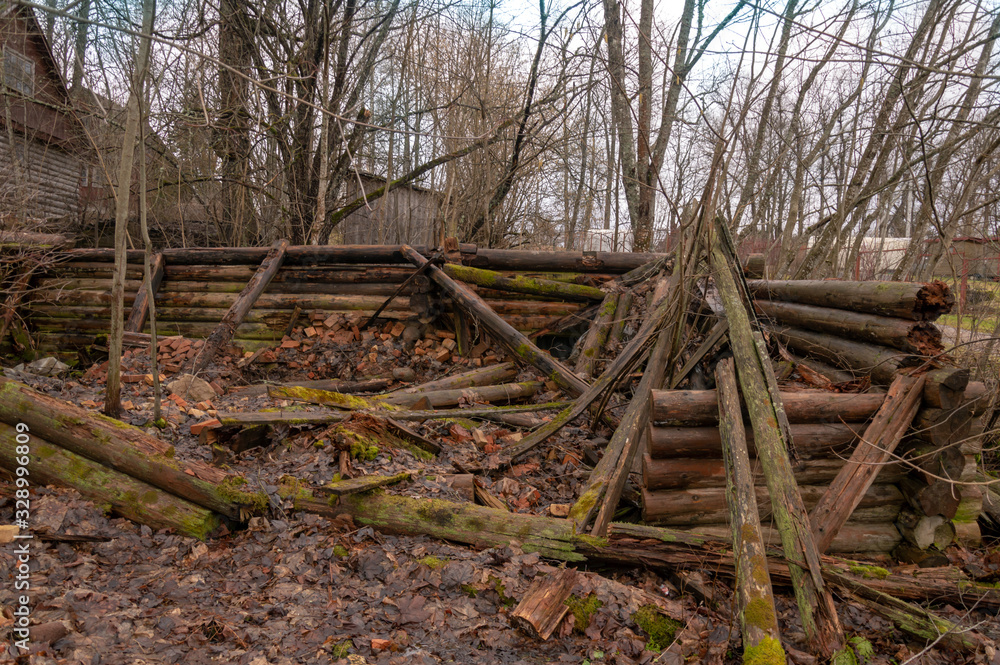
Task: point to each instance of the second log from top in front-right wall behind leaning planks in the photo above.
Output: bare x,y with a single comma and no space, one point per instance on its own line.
811,440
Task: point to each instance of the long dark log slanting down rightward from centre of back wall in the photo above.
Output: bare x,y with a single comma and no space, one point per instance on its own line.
500,330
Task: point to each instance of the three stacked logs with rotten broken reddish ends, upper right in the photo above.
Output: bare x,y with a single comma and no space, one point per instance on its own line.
867,328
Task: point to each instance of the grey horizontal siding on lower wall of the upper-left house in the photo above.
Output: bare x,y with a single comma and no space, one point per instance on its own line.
38,179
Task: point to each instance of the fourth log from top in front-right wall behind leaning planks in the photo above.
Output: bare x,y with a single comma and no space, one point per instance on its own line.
707,505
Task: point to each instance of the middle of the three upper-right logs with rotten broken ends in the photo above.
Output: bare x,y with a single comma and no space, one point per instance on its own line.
920,337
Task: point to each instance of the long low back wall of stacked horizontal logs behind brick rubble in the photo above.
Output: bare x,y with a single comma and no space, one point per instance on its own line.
533,291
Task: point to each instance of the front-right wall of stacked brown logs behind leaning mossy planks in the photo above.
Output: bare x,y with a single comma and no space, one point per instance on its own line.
684,473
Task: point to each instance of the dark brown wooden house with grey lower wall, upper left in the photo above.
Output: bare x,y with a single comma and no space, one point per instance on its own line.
40,148
